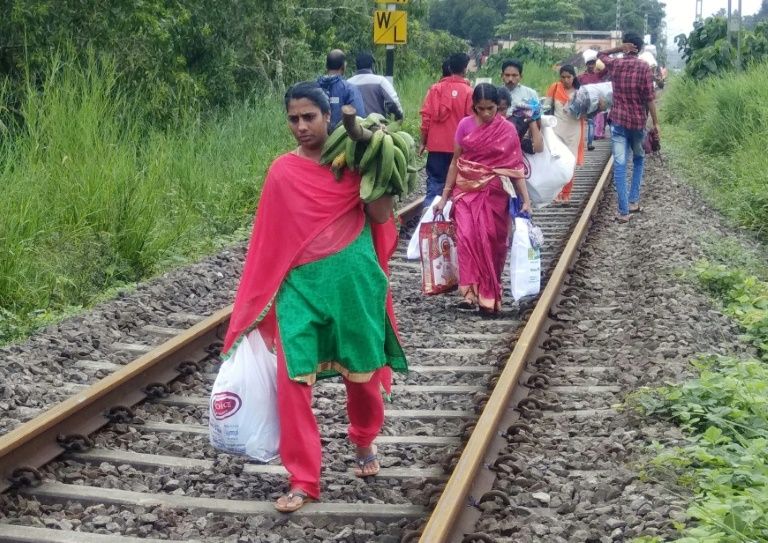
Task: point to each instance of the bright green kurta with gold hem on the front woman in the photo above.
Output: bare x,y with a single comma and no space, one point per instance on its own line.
332,317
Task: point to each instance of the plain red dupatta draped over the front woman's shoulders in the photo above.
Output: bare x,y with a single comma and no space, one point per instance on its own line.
299,200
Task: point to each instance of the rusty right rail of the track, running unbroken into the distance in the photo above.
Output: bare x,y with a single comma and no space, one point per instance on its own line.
454,497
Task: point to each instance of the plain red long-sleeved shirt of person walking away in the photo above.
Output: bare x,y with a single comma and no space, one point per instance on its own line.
447,102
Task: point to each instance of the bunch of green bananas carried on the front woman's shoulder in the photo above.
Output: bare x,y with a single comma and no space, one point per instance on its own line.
387,163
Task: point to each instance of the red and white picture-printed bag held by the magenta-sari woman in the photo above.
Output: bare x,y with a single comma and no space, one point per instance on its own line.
439,258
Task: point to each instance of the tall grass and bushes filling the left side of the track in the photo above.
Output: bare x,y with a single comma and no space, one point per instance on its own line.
135,136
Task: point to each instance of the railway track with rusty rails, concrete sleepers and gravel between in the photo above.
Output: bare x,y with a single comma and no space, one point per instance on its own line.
128,459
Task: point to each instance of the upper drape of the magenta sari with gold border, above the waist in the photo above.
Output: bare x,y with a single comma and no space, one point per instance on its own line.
490,150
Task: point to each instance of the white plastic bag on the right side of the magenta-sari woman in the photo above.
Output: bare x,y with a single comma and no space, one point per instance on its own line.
525,259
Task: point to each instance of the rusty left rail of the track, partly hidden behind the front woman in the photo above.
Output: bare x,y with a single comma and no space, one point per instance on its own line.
39,441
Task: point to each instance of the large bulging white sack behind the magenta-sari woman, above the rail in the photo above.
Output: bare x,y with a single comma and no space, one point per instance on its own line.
547,172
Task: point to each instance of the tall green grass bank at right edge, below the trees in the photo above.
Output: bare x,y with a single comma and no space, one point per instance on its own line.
715,132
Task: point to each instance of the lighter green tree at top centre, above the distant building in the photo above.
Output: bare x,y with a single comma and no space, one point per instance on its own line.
539,18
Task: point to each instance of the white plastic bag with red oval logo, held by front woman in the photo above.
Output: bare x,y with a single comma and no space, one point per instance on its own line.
242,416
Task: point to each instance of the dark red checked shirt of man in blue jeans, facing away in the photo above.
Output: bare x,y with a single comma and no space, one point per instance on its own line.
632,80
